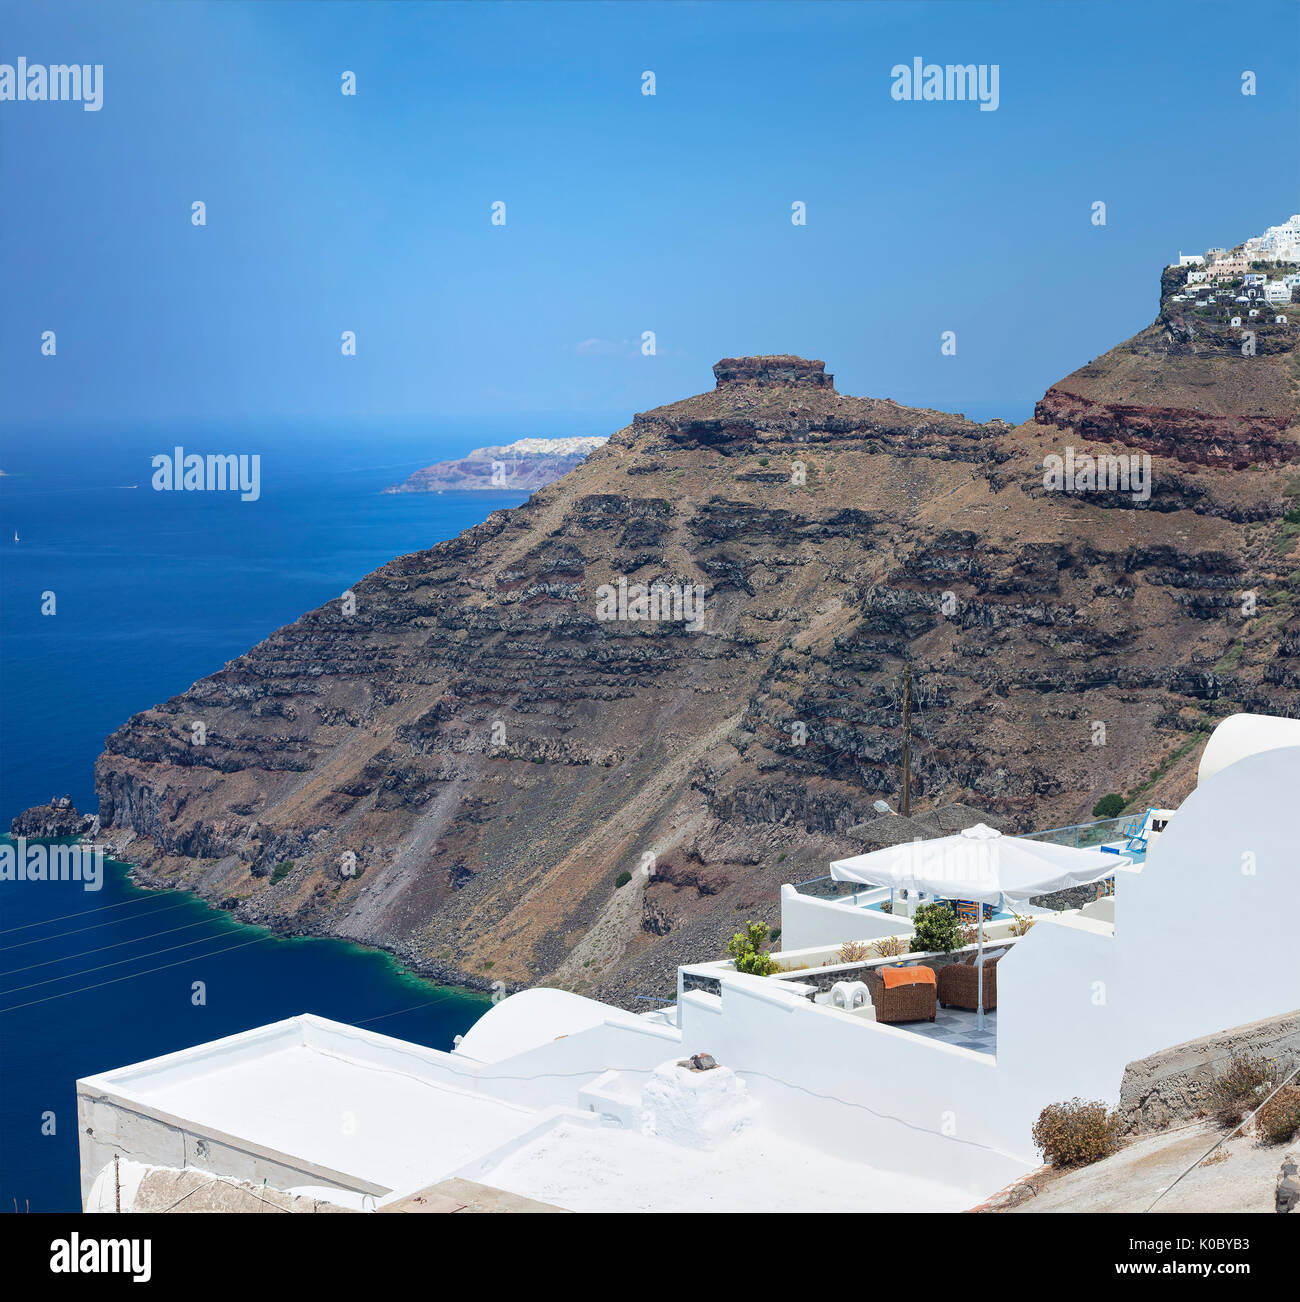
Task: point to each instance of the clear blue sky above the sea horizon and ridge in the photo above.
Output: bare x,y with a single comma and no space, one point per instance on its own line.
625,213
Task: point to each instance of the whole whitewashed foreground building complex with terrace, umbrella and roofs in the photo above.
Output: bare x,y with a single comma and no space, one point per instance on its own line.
846,1072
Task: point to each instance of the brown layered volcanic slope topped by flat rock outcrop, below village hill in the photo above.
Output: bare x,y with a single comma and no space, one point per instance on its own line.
462,768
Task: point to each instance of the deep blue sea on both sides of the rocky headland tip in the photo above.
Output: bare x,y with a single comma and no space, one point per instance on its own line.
150,592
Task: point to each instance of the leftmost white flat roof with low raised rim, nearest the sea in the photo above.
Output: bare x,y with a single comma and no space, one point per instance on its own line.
328,1094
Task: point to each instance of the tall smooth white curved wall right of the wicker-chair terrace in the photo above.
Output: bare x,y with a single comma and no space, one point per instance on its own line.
1206,939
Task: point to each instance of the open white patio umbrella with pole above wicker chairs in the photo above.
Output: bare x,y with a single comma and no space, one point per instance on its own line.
983,865
